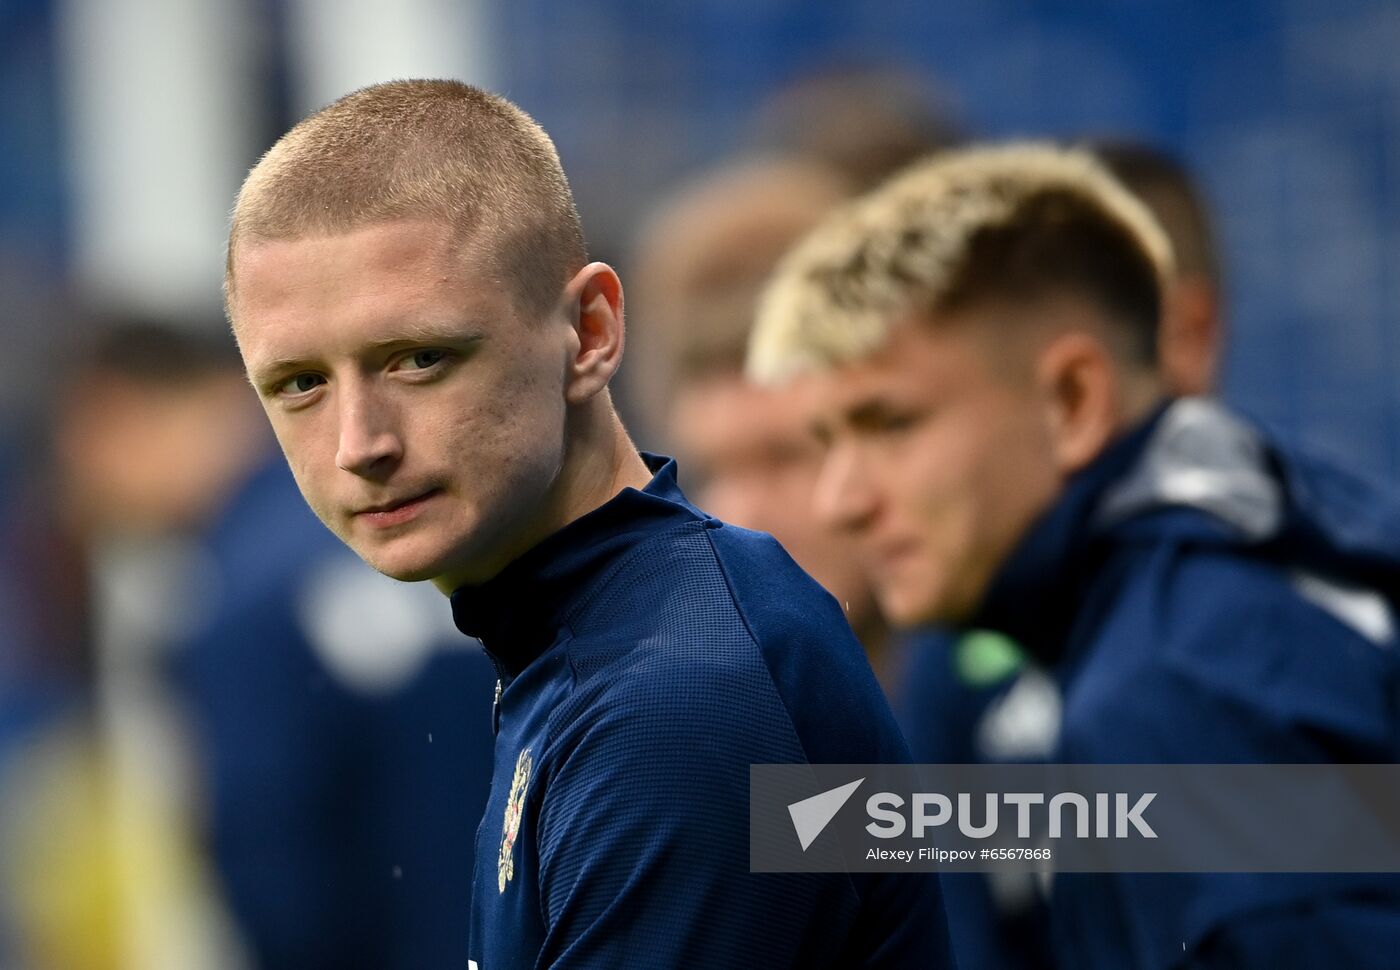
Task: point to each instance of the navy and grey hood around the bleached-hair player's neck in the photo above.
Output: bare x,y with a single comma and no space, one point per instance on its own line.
1193,472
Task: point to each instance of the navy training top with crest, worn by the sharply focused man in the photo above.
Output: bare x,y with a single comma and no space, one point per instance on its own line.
649,656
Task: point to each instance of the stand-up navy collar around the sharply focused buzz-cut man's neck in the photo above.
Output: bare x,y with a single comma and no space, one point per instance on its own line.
519,614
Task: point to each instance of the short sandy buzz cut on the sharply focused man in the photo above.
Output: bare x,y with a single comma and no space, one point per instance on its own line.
435,150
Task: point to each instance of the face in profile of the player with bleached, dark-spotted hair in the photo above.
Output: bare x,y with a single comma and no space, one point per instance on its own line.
939,458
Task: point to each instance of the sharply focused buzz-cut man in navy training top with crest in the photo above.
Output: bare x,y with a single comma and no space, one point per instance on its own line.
411,293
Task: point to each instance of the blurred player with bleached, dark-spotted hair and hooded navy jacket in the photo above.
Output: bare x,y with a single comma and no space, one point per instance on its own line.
979,341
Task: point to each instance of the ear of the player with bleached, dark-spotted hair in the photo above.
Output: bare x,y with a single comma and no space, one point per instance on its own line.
1079,381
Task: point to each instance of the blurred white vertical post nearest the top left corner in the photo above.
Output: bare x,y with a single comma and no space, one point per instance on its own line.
160,127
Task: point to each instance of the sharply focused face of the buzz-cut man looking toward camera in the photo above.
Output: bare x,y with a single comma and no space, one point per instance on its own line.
422,414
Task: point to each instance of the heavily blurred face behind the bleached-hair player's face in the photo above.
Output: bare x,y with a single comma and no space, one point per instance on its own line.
751,451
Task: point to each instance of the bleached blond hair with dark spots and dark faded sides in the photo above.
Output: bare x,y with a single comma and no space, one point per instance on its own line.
1007,225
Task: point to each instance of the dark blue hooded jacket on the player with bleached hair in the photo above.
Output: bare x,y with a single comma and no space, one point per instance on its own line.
1206,597
